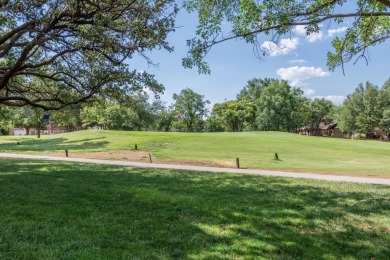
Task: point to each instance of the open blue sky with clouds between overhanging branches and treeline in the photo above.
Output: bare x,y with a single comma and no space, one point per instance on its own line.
233,63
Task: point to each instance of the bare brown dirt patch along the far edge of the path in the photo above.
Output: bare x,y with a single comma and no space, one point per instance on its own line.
141,156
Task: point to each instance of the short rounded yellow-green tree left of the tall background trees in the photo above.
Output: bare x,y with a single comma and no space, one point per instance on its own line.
235,114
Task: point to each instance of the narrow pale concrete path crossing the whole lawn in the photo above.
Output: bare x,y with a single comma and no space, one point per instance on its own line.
324,177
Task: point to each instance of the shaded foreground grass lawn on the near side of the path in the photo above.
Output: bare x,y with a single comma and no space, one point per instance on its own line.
62,210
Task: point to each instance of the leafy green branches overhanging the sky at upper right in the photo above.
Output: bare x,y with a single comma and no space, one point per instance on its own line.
368,24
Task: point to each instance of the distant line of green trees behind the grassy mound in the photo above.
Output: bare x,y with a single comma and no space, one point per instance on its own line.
263,104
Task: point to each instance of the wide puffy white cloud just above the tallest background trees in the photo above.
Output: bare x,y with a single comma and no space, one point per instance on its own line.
301,73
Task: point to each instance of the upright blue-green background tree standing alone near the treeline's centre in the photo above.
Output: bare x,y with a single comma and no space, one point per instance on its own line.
191,109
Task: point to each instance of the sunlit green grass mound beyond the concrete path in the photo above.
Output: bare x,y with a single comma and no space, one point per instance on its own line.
255,149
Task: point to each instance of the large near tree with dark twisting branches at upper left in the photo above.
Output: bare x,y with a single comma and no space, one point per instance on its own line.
54,53
